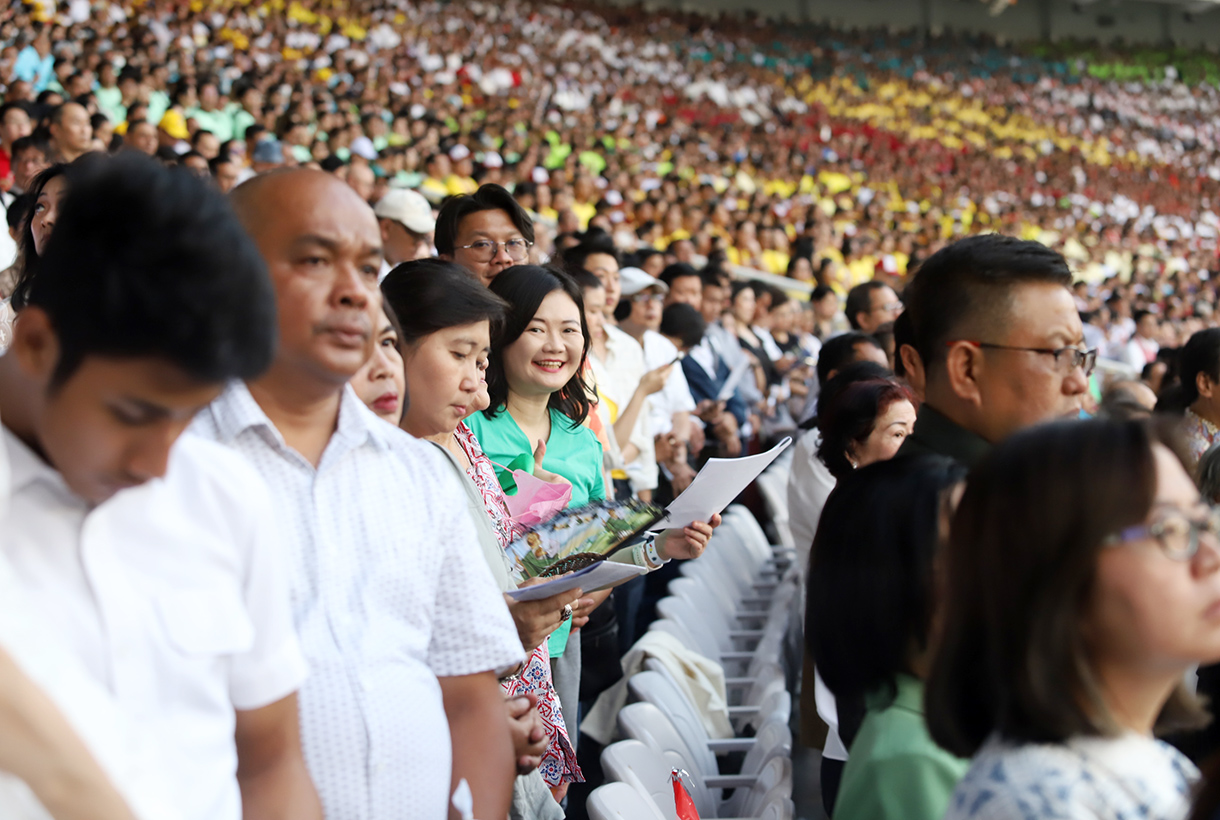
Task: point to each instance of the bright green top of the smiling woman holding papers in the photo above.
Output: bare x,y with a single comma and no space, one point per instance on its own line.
573,452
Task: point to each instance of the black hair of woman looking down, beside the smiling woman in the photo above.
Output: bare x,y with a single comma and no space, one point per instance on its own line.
431,295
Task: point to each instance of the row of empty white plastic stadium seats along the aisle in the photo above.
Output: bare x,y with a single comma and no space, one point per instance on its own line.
731,606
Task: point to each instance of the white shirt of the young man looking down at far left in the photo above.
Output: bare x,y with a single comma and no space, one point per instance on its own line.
171,599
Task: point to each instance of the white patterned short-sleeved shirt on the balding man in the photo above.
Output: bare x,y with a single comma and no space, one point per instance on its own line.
390,592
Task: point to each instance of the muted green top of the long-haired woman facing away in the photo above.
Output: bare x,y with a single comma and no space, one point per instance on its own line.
895,771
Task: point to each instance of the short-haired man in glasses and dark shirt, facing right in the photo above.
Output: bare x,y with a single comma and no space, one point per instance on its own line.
1001,342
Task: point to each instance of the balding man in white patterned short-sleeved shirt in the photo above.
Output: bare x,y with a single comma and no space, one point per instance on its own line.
398,613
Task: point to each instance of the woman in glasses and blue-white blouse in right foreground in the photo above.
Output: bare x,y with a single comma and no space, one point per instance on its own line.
1083,581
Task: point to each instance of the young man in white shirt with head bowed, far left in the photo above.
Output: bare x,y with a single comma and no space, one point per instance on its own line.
154,559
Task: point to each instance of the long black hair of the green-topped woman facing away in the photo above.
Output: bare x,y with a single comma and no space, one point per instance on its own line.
872,591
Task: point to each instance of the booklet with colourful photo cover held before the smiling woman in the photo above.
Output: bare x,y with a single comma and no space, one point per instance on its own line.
578,539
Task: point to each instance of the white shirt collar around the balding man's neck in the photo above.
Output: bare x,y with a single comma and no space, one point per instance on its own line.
236,412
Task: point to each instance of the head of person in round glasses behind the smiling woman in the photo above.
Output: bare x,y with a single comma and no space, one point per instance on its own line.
485,232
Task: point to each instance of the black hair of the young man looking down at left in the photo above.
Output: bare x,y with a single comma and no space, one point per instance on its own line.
151,262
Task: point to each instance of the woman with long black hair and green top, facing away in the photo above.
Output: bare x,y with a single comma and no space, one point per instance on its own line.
869,625
